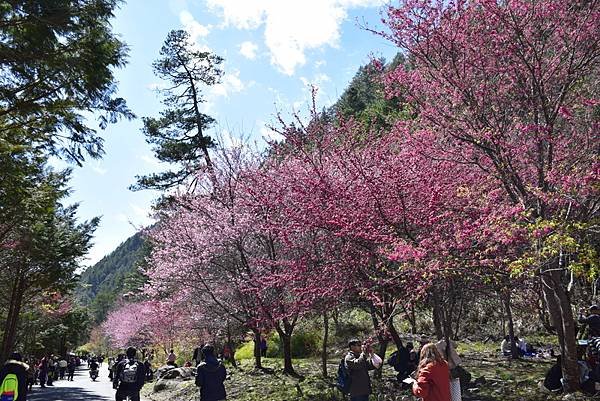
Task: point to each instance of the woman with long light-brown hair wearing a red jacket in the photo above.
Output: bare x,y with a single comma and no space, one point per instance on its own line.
433,376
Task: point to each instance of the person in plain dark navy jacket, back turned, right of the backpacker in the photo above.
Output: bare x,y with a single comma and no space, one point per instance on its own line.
210,376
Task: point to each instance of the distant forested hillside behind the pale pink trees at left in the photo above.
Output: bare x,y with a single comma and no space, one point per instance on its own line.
117,273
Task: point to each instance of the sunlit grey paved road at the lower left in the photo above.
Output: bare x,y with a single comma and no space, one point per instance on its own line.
80,389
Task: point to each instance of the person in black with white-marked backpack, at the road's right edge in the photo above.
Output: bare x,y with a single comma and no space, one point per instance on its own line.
129,377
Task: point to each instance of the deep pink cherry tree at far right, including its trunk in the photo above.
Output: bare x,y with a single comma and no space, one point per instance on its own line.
514,86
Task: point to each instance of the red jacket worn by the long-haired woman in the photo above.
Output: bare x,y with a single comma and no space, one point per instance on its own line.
433,382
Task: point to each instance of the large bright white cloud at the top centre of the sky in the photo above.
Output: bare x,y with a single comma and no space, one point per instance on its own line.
291,27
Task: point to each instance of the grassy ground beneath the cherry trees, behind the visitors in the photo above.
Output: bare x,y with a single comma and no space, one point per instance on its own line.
503,380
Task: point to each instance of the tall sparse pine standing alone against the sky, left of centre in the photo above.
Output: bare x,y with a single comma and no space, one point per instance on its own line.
179,134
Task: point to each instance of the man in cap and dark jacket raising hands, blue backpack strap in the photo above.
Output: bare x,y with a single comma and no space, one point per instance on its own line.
359,360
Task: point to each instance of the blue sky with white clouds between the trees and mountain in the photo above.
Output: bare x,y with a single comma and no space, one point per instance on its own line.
273,49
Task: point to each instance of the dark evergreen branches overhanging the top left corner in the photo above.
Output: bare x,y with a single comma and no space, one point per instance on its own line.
56,66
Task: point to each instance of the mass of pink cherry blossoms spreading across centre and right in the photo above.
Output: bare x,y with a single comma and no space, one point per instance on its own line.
505,134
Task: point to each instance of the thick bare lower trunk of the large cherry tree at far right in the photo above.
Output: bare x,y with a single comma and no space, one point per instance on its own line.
561,315
